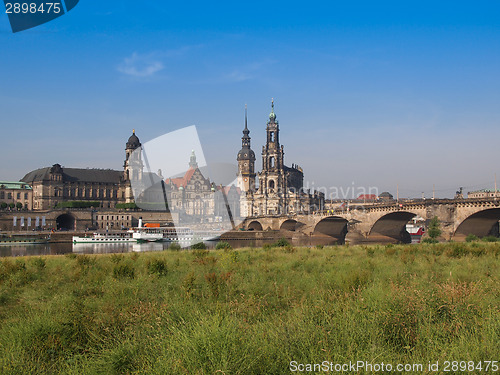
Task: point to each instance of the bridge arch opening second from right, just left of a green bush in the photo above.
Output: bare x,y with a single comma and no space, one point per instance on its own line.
393,226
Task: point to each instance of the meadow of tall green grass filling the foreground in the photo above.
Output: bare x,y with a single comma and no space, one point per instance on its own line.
249,311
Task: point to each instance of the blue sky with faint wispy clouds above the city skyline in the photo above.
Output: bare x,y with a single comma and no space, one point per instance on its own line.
376,93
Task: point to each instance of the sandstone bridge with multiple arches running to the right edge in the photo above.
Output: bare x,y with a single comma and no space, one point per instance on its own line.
387,222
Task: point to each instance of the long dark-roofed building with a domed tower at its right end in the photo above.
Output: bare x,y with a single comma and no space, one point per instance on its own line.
54,185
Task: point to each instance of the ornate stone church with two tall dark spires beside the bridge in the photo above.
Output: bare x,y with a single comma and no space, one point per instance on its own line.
280,188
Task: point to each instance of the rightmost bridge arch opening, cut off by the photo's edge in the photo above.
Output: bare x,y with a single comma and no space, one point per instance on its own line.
482,223
